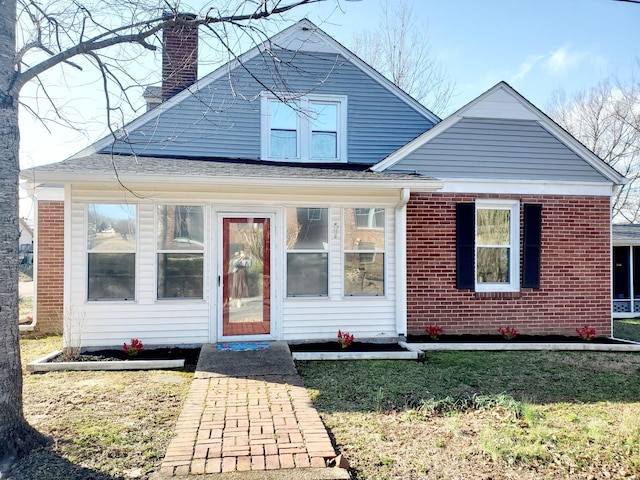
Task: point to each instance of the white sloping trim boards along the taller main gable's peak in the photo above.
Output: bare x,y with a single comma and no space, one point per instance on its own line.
291,35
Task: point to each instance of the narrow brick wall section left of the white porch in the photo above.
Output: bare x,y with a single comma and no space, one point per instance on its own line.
50,266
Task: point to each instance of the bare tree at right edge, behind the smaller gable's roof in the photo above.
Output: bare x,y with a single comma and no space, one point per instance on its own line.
606,119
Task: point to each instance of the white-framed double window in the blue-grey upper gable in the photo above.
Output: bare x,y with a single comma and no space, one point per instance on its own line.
307,129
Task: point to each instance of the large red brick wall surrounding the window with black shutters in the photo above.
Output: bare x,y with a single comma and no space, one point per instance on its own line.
574,280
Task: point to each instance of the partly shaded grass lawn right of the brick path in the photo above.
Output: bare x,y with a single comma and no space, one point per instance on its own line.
471,415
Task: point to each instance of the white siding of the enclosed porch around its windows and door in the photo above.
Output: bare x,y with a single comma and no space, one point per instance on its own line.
110,323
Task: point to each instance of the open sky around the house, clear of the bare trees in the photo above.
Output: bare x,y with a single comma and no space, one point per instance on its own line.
539,47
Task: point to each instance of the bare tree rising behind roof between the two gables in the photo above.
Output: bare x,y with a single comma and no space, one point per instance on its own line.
400,49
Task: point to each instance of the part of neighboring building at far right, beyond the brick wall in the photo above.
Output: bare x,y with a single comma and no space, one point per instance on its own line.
626,271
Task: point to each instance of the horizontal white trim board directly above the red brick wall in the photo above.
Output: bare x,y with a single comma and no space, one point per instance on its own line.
526,187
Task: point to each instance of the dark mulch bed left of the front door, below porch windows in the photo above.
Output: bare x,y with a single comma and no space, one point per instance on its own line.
190,356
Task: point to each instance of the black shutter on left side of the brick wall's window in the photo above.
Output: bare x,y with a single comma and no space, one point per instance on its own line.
465,244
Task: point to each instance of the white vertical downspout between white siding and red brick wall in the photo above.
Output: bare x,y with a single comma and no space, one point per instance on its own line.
401,262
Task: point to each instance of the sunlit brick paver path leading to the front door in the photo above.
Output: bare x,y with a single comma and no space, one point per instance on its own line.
236,424
